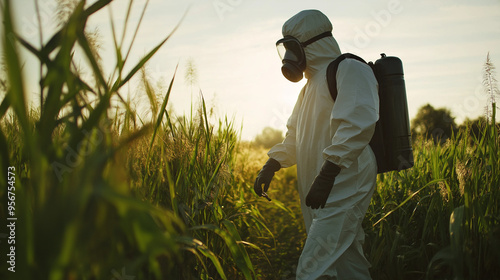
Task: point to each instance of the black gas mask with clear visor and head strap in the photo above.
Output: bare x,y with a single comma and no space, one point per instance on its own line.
293,57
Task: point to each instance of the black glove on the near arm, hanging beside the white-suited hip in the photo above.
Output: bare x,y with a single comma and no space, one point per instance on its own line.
322,185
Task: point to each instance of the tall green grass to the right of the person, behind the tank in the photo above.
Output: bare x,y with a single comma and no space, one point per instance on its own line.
439,220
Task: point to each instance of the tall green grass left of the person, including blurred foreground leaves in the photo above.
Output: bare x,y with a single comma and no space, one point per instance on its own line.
99,195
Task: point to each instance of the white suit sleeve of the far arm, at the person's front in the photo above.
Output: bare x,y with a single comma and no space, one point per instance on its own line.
285,152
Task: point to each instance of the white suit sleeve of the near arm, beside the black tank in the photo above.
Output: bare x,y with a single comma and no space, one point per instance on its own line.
354,113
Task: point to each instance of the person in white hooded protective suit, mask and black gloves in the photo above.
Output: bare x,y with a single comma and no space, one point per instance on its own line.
328,141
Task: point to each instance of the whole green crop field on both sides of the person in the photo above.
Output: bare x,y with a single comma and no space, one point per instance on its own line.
93,191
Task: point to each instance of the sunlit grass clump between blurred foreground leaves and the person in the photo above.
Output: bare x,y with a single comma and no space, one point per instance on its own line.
186,166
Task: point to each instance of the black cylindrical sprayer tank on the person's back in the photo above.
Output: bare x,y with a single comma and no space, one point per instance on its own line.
395,122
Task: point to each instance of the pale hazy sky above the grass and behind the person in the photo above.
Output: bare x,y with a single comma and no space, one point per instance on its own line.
443,46
